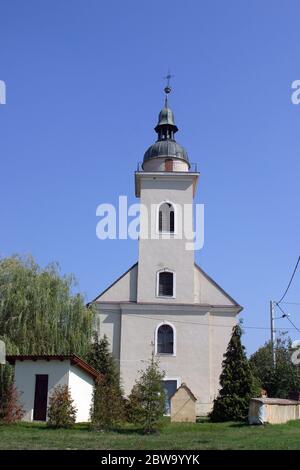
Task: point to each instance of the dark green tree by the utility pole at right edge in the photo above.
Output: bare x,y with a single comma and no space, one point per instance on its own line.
283,379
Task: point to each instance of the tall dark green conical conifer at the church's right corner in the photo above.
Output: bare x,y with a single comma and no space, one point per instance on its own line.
236,382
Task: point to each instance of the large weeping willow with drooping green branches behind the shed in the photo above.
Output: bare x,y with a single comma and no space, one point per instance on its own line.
39,313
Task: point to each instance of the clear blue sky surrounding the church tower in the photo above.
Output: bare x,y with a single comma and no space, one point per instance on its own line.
84,87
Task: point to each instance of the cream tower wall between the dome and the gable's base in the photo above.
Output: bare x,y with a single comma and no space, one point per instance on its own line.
156,254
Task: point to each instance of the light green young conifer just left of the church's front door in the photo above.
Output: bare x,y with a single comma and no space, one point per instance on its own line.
147,399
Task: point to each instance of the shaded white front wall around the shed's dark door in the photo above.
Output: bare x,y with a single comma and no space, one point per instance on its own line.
25,372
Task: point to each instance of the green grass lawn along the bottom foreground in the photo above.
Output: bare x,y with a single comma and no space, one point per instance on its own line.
202,435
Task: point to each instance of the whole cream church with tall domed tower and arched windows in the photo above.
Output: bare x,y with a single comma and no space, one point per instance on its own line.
165,303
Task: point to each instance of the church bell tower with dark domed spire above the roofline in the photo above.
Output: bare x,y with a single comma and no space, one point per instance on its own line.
166,185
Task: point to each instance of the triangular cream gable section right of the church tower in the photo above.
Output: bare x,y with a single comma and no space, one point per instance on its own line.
208,292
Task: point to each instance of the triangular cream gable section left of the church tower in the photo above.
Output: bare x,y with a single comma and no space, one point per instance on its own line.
124,289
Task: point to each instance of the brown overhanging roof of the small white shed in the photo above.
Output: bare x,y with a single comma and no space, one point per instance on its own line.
74,360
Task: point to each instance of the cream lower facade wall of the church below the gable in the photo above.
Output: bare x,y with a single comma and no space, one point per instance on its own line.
202,340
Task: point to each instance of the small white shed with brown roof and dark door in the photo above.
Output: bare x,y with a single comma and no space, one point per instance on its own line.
37,376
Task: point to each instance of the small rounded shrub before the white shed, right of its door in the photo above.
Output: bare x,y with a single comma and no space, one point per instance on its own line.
61,411
